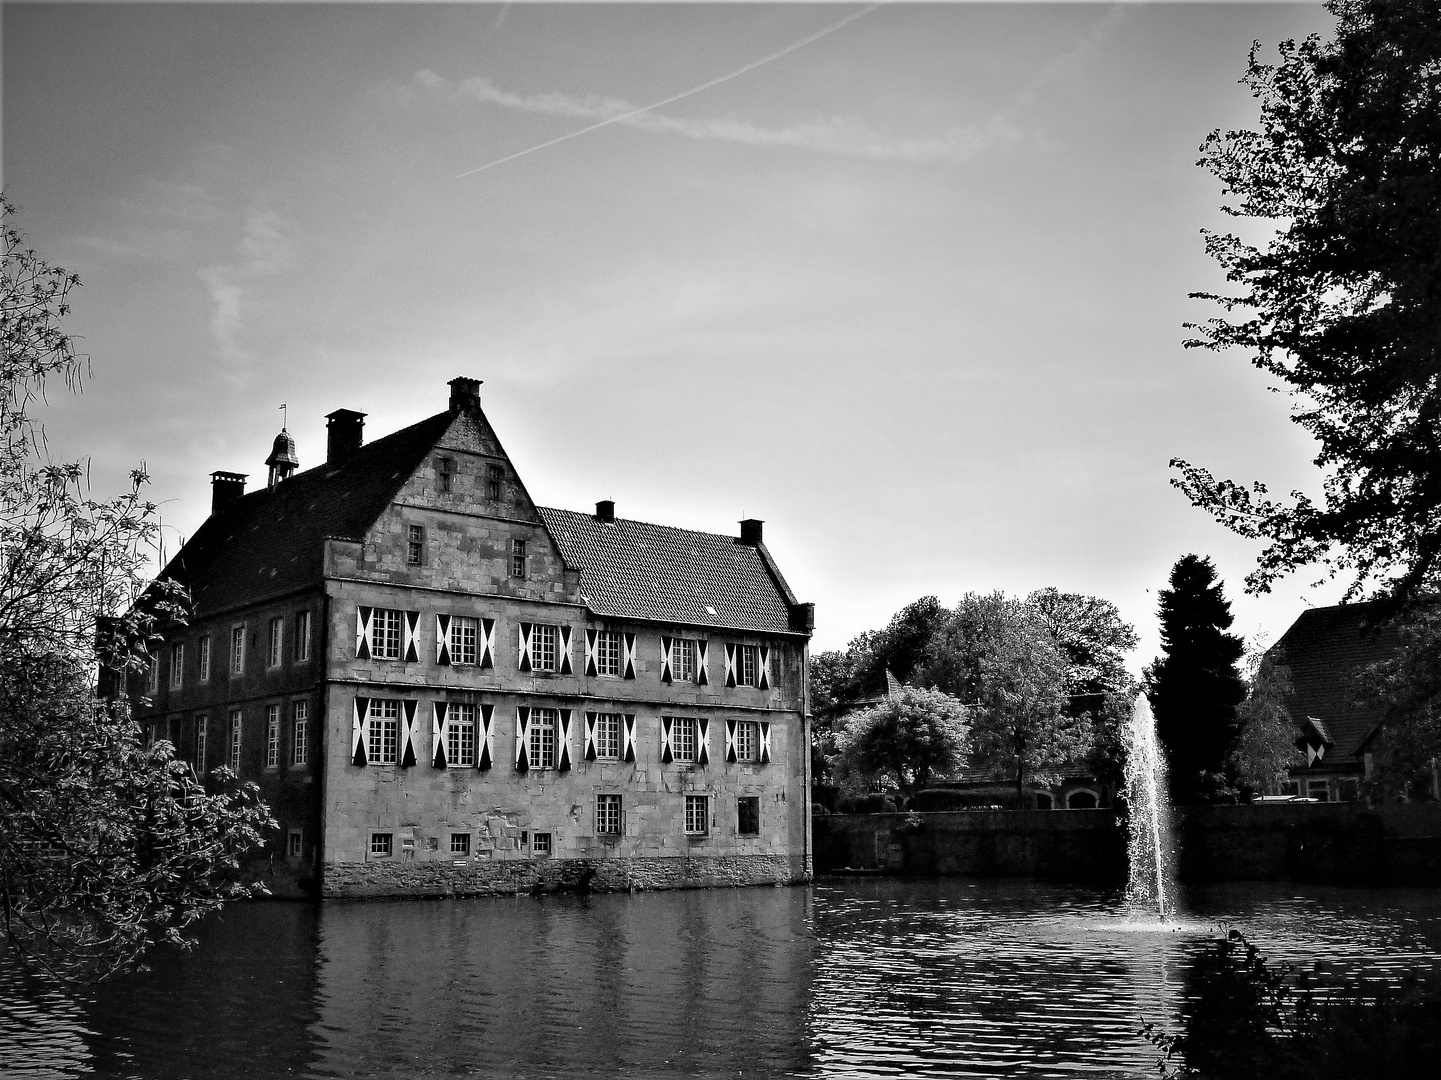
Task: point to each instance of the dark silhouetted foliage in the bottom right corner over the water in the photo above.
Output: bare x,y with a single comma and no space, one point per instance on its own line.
1247,1019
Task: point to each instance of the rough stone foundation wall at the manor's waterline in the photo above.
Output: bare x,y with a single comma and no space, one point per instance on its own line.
483,877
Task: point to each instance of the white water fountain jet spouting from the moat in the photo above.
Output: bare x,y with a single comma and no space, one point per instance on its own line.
1151,890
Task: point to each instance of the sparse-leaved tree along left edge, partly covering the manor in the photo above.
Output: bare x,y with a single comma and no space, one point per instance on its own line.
106,846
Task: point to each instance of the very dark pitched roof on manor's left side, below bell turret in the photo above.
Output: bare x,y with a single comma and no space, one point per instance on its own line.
273,540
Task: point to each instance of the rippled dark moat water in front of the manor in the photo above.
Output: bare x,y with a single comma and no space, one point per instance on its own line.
849,978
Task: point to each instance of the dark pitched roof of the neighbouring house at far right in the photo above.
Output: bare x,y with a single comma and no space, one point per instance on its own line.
1326,651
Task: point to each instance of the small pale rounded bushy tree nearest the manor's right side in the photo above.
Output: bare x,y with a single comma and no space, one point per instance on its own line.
909,740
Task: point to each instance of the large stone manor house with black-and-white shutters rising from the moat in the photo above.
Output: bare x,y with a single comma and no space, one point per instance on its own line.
443,689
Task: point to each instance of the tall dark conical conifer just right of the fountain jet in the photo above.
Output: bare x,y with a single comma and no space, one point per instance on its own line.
1195,686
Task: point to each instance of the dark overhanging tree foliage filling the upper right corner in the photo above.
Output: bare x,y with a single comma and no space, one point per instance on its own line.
1344,304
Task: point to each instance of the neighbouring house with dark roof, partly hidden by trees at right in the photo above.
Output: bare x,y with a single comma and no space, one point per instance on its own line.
1341,732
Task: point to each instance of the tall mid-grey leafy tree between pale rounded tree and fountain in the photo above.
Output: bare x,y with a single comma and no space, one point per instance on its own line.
1021,729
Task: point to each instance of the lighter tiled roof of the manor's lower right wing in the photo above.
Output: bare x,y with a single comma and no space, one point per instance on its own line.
635,570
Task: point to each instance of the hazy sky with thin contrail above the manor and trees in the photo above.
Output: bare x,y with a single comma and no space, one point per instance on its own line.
907,282
